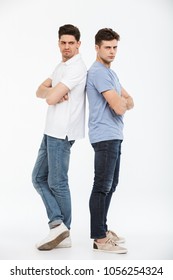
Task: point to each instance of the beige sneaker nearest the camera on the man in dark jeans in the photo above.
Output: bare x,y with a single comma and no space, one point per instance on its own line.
109,246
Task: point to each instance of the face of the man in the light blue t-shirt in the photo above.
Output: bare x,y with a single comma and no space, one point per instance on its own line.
106,52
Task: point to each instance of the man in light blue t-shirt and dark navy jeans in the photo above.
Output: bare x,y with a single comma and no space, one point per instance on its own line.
108,102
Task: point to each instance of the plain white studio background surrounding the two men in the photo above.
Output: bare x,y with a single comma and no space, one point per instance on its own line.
141,208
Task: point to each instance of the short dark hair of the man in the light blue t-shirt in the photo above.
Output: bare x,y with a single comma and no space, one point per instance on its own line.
106,34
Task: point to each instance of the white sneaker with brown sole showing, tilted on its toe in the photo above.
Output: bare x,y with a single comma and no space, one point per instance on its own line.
55,236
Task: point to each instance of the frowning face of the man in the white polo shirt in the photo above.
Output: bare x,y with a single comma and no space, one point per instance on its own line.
68,46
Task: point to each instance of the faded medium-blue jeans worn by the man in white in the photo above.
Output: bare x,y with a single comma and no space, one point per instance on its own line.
50,179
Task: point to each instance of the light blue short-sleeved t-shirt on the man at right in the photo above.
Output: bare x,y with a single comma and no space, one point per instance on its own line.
104,124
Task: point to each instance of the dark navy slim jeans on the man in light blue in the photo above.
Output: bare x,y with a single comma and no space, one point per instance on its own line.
107,165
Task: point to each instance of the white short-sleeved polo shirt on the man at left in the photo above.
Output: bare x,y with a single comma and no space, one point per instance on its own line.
68,118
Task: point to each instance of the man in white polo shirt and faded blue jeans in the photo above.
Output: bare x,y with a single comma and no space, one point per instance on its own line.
64,92
